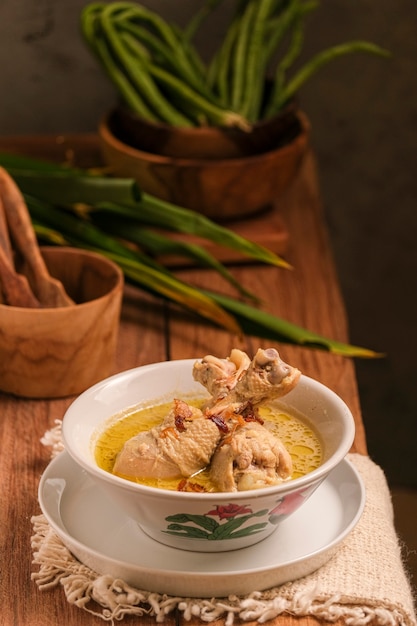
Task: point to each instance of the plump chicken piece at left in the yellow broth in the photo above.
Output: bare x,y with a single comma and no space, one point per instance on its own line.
181,446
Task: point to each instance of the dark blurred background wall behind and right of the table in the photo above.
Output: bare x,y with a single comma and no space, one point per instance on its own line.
364,117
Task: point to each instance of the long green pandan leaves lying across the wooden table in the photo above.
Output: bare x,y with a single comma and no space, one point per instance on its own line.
113,217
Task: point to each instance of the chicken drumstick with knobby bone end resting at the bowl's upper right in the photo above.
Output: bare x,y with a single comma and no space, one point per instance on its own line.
266,378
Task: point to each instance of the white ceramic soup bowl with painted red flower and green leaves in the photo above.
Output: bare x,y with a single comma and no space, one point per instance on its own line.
153,508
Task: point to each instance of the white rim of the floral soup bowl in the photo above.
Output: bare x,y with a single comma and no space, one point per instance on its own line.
281,489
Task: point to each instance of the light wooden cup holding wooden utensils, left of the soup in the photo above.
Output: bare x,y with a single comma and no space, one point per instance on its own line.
58,352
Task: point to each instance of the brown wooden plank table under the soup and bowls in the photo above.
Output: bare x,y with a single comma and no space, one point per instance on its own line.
309,295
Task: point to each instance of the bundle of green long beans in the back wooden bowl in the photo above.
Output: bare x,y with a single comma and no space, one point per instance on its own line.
160,75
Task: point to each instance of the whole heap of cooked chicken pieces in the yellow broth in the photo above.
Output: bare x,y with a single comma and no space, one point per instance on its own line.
243,454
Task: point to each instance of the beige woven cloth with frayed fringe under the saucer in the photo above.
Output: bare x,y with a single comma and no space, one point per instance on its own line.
364,582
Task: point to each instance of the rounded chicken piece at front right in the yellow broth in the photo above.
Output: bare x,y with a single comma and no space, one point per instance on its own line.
250,459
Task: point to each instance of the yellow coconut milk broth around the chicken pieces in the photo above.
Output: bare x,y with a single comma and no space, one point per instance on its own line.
296,434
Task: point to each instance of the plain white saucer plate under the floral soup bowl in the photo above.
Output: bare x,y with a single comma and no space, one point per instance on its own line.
101,536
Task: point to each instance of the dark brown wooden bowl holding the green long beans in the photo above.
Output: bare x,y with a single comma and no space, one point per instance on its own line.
221,188
